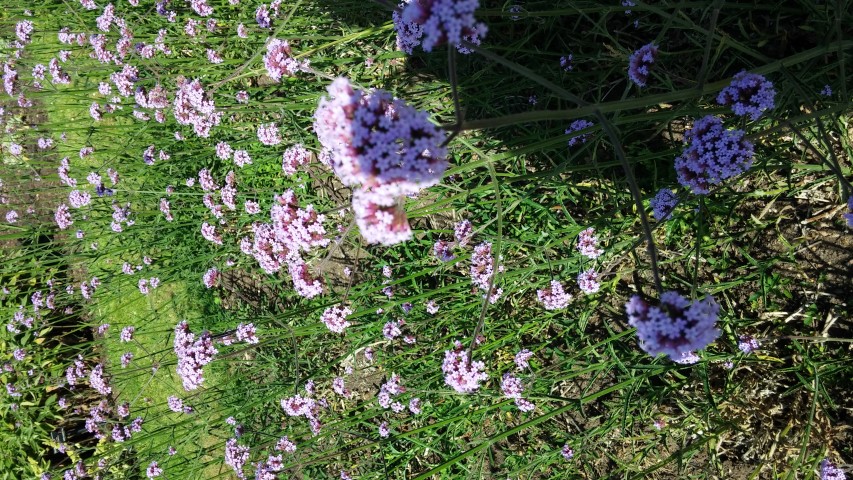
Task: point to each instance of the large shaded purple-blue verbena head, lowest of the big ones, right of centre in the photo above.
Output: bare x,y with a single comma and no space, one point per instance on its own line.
676,327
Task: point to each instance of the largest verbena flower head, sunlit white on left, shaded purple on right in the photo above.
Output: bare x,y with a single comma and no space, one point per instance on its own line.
379,141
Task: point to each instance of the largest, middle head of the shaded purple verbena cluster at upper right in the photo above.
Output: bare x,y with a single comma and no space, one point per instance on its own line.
713,154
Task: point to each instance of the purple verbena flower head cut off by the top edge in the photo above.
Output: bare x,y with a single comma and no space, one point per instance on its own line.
431,23
